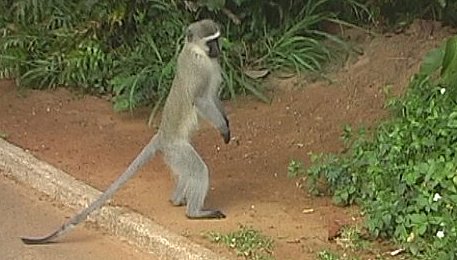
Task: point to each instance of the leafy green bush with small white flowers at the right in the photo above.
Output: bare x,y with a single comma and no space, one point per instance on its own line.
405,175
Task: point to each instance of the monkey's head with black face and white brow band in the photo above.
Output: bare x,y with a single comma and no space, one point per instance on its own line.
205,34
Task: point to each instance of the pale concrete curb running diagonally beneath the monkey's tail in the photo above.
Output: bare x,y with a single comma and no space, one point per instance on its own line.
133,227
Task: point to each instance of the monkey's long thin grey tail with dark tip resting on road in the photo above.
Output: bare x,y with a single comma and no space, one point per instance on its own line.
145,155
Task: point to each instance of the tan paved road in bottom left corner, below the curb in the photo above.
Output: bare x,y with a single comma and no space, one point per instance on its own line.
23,212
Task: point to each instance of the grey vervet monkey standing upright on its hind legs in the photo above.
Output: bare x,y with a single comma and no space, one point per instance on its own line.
193,94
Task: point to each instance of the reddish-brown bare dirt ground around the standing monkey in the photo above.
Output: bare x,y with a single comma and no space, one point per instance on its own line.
84,137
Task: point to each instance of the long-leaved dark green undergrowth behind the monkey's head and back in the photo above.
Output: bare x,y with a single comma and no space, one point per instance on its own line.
128,49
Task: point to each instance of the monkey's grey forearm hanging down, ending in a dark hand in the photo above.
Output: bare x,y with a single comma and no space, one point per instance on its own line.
215,114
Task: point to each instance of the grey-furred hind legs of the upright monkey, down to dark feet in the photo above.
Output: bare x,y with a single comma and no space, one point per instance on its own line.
193,181
